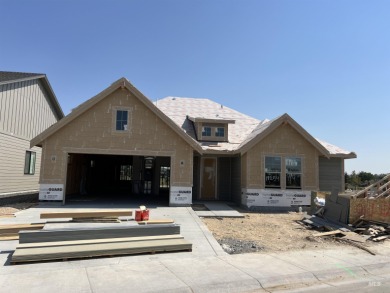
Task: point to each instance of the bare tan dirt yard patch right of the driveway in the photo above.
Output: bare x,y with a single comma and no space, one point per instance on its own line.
265,232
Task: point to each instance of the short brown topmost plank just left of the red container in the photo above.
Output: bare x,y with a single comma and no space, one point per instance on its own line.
86,214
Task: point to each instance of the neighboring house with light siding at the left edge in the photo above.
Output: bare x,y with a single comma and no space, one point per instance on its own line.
28,106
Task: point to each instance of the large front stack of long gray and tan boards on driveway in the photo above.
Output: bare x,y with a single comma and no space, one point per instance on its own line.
109,241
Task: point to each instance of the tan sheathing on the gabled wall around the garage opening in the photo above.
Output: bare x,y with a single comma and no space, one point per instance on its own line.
92,131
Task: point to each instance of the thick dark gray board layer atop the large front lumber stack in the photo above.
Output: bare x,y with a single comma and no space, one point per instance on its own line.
97,233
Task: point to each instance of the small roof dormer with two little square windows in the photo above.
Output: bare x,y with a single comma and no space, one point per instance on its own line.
211,129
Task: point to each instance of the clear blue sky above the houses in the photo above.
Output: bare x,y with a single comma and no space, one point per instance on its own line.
325,63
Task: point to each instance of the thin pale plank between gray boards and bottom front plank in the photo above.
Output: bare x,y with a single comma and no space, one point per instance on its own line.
97,241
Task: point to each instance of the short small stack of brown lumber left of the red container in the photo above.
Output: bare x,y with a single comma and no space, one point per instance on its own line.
85,216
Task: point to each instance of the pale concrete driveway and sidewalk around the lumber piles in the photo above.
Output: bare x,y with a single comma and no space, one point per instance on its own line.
206,269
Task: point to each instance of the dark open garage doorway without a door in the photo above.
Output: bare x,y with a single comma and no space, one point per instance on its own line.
117,177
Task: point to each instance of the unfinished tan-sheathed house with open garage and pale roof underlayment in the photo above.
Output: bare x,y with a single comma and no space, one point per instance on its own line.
121,144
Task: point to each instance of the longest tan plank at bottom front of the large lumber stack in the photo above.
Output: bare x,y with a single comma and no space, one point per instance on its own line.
94,250
